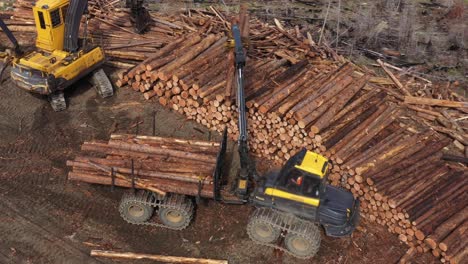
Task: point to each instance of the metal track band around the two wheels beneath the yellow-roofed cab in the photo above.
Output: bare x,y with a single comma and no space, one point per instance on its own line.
288,225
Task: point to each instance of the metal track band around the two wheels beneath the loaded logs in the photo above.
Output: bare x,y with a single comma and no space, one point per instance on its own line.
174,202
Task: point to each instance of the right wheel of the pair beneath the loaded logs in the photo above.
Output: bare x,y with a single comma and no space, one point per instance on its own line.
176,211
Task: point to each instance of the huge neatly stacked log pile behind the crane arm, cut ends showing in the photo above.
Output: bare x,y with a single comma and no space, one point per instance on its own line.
378,148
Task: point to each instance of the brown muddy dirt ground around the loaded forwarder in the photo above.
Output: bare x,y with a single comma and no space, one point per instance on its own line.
46,219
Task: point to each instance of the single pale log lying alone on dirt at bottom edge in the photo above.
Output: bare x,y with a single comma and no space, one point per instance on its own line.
160,258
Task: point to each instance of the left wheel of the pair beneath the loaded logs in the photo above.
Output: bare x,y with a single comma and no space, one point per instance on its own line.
133,210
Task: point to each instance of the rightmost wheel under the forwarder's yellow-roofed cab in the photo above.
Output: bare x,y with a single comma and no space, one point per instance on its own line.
304,245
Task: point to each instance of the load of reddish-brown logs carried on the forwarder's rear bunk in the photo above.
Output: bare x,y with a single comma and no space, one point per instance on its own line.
152,163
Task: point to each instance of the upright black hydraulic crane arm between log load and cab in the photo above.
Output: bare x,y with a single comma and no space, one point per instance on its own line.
247,168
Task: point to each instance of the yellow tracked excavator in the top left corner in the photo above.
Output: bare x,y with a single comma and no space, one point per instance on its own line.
61,58
